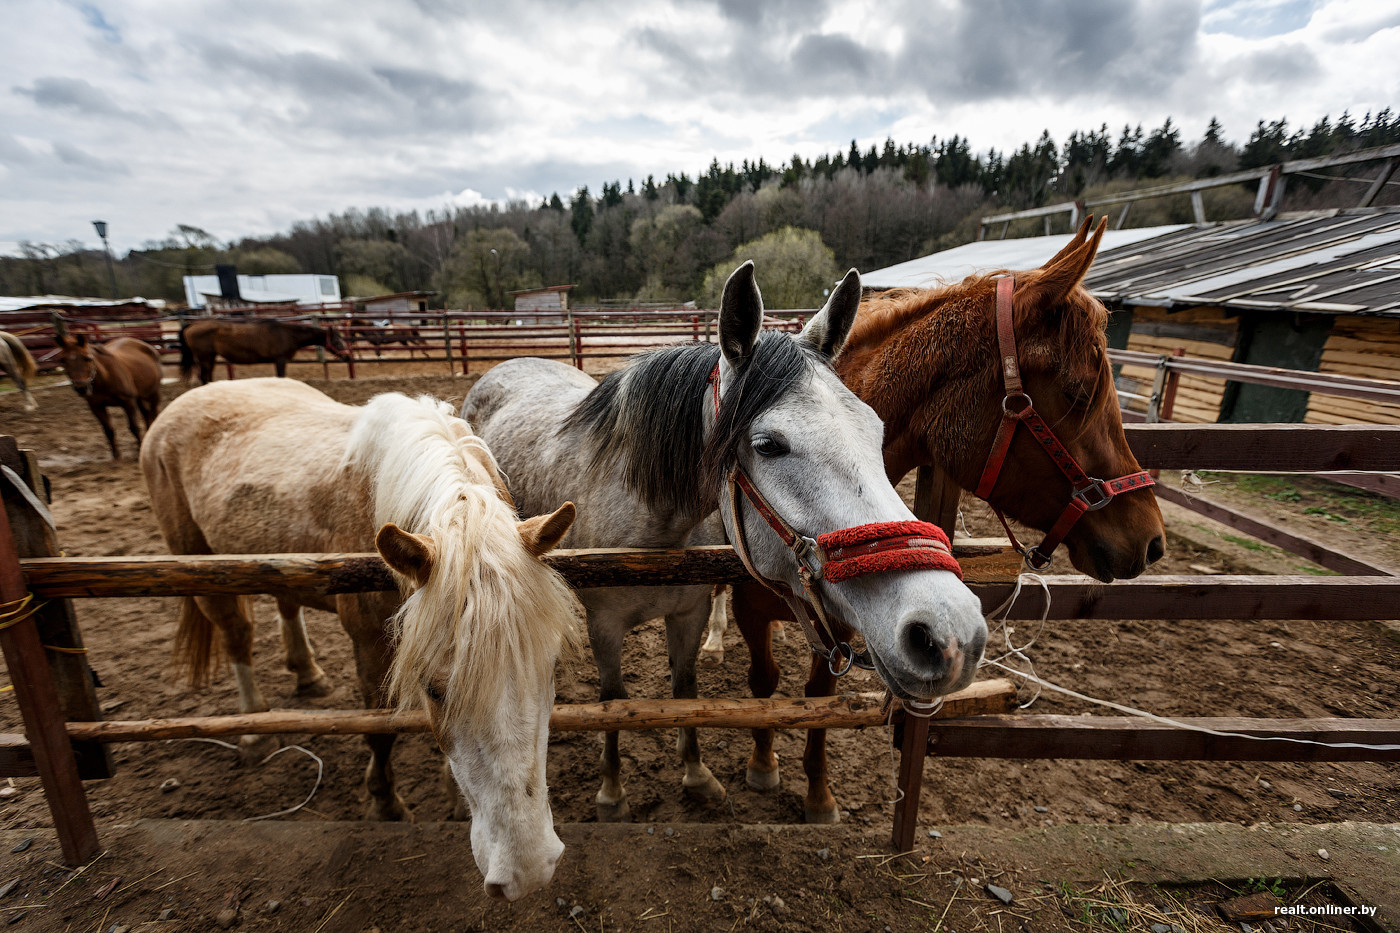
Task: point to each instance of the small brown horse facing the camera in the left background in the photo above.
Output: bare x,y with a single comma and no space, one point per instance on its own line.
124,372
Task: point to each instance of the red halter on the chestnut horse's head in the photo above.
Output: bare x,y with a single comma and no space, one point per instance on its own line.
1090,494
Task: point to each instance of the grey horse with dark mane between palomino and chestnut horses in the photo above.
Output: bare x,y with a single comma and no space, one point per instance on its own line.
664,442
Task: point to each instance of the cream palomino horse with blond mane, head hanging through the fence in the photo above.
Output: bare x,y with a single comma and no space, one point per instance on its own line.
272,466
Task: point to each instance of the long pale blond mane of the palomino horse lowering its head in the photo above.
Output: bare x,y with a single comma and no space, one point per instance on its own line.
510,614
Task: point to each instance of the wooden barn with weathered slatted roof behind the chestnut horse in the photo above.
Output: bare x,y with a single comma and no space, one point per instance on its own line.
1315,292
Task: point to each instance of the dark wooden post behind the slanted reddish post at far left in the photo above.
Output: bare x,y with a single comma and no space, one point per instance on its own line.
57,623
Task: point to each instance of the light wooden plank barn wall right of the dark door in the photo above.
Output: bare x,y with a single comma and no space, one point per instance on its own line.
1359,347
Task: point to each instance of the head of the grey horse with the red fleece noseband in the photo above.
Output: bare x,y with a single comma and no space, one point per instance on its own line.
786,424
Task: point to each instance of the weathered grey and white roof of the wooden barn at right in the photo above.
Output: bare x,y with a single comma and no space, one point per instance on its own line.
1328,263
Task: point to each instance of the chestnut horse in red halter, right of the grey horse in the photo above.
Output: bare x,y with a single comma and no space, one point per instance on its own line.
930,366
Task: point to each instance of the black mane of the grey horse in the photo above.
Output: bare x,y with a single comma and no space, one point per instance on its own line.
647,420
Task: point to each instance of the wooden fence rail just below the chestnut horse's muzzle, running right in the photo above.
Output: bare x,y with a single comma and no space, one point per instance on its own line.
1206,597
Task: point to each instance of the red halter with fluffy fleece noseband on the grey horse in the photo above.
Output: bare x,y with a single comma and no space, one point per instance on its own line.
834,557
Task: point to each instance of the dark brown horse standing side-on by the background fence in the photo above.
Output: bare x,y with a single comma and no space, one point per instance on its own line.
260,341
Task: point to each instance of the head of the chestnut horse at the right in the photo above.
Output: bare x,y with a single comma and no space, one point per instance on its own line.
1062,357
